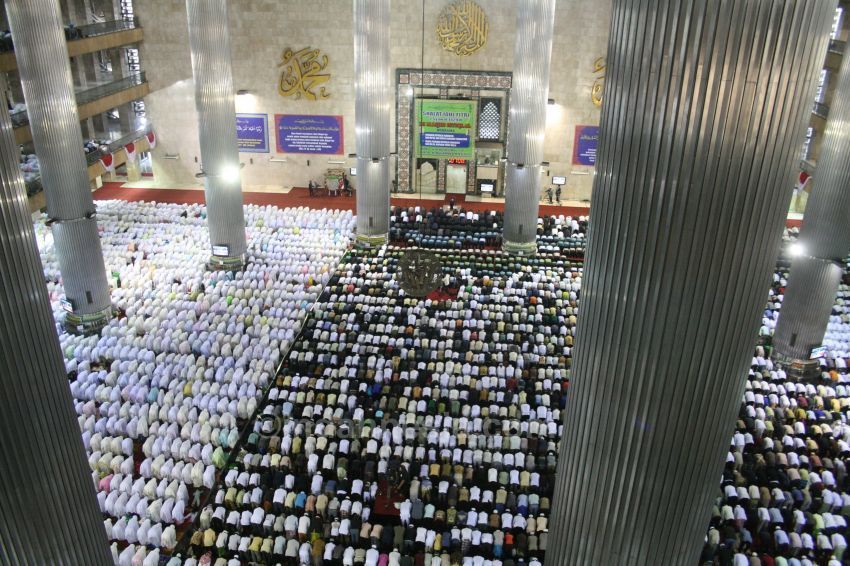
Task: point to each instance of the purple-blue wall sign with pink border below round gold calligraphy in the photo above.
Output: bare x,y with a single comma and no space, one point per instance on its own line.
298,133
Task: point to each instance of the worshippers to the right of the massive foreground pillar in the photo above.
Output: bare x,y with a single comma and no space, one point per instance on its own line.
785,492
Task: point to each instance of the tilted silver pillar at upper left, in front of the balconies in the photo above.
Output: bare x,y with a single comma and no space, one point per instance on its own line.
49,95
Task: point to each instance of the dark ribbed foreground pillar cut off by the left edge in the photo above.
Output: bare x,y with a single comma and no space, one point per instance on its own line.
48,509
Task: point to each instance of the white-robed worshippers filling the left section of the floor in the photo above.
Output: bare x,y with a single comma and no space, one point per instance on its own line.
161,392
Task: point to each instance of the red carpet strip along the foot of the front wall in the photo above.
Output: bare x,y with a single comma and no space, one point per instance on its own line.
301,197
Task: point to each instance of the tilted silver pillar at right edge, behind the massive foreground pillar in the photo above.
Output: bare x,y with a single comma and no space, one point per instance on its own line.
824,237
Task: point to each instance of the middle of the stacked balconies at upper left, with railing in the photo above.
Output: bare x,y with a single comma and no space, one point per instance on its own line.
92,101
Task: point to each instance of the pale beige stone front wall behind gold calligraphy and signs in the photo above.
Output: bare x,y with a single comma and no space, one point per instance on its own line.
262,29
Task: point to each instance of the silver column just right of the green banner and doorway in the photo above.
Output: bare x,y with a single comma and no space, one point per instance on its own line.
527,128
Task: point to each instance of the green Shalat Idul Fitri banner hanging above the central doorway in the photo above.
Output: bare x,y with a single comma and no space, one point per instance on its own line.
445,129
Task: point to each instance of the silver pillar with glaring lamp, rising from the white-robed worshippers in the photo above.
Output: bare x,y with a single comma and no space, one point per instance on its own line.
209,41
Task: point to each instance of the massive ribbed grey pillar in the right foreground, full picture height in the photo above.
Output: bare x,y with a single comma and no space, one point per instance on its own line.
705,109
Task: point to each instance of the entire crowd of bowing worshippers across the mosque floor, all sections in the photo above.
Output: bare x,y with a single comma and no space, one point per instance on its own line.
402,430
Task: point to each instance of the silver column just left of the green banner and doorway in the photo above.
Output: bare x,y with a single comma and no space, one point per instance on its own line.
372,106
